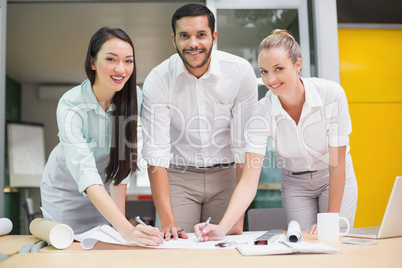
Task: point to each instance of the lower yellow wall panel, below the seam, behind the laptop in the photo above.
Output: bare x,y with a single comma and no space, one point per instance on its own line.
376,149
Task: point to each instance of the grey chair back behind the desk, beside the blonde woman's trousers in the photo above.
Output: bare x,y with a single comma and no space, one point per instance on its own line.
264,219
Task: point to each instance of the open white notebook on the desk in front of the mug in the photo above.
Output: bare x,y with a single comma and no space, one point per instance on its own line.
282,246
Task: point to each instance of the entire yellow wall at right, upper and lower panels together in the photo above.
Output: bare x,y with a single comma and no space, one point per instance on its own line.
371,72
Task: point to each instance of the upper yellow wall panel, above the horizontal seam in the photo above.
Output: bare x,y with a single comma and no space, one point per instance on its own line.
370,63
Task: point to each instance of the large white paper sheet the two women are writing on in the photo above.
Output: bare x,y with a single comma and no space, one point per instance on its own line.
107,234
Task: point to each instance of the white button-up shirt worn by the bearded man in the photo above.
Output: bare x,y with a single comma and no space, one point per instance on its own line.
197,122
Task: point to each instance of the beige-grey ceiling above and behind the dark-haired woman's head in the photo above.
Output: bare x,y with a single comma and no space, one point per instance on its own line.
47,40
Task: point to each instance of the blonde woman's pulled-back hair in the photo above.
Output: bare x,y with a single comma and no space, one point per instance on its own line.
283,39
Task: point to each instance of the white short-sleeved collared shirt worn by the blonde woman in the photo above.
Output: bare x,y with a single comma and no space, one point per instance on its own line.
324,122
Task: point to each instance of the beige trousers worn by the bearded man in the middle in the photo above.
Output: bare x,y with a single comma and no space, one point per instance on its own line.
199,193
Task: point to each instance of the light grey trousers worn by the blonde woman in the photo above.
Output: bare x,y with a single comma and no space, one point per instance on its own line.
303,196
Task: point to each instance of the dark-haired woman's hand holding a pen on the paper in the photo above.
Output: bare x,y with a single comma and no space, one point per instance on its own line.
145,235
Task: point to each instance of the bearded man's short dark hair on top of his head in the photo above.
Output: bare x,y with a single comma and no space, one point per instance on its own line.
193,10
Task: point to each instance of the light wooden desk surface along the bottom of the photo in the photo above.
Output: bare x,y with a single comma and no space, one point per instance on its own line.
387,253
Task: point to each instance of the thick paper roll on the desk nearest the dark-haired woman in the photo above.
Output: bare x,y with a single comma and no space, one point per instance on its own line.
56,234
